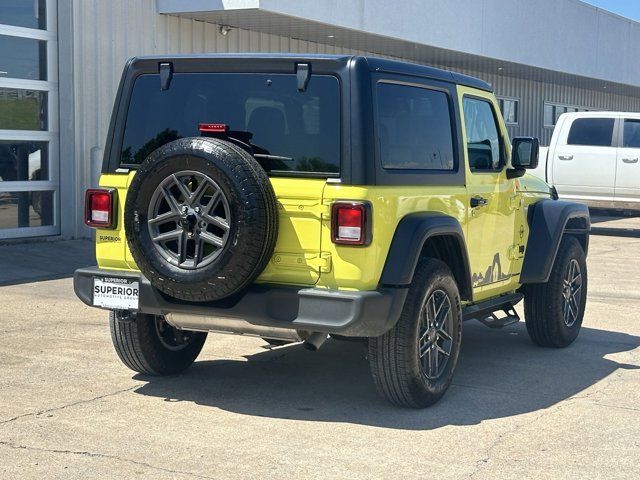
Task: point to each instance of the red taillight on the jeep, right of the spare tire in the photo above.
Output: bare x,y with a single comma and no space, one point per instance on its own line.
351,223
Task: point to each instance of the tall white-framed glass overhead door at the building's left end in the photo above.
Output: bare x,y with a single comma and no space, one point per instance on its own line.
29,184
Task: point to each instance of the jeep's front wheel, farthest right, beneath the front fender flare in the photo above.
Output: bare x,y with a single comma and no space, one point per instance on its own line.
552,318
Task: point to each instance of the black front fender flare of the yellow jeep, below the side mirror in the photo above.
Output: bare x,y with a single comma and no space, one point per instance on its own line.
549,221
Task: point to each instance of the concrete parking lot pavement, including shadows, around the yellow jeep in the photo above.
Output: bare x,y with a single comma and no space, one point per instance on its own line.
70,410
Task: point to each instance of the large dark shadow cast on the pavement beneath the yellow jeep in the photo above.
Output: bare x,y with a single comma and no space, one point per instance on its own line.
500,374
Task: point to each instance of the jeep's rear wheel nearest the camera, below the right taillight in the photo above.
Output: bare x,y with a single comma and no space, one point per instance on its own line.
413,364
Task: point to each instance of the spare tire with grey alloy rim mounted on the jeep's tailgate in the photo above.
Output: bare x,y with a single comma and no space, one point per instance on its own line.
201,219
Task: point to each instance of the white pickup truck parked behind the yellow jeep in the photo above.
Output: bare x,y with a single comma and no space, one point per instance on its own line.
594,158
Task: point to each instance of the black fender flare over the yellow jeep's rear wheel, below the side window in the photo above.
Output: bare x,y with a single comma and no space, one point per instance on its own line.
410,236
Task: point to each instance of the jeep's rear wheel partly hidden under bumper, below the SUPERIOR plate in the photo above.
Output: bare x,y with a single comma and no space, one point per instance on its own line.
147,344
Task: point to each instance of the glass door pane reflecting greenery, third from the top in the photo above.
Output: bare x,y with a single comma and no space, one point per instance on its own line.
23,109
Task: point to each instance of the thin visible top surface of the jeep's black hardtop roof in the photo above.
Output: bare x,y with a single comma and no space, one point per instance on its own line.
375,64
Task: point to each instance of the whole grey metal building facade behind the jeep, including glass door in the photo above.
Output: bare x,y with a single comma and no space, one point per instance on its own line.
61,60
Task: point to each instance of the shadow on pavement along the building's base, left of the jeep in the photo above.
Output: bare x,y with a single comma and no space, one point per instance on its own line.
38,261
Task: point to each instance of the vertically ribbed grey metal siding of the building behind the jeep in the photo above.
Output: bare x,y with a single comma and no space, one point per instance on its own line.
107,33
